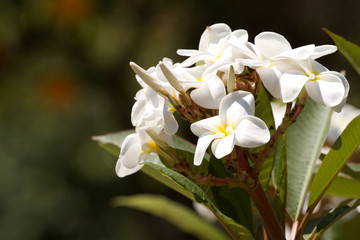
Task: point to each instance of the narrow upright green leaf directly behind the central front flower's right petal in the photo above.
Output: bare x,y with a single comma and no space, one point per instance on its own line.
263,110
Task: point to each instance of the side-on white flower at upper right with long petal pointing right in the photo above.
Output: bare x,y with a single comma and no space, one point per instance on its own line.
272,55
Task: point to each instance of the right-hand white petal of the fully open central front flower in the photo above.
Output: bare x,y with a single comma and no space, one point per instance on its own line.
251,132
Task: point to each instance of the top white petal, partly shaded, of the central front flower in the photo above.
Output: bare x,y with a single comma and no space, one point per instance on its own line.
235,105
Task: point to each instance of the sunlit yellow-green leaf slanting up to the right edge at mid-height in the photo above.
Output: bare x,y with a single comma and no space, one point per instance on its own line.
340,152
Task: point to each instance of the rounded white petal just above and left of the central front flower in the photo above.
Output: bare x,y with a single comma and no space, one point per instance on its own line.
210,94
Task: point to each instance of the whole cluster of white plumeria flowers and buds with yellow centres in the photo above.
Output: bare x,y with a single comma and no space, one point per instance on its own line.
215,89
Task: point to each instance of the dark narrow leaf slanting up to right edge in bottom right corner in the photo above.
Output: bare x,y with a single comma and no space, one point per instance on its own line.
318,225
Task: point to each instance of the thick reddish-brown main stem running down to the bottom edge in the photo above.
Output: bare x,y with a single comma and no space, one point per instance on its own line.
268,216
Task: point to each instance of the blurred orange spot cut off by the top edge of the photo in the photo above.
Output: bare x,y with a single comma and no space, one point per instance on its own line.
72,12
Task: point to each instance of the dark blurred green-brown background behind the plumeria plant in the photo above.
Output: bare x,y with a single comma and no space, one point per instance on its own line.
64,77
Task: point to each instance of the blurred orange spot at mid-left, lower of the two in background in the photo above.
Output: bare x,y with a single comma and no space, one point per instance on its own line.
58,89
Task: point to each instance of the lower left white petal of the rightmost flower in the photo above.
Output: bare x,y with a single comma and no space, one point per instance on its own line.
291,84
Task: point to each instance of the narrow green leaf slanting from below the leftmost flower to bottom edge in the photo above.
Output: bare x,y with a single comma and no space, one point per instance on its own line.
236,230
